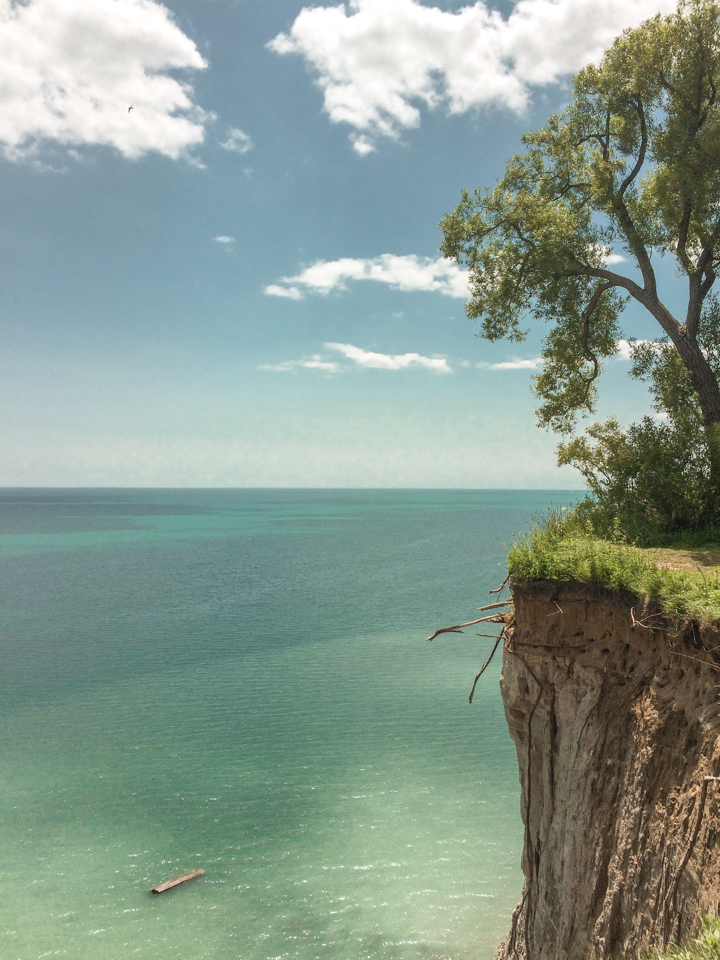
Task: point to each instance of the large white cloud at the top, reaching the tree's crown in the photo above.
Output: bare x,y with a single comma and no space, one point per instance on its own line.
378,60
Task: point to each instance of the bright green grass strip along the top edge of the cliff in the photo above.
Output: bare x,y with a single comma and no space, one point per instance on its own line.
686,582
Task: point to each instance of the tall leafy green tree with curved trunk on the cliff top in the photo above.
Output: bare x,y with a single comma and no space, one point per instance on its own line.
632,163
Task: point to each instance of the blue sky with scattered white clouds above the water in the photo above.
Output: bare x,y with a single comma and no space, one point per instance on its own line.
219,254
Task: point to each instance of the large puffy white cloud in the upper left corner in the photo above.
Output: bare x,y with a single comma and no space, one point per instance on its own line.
71,69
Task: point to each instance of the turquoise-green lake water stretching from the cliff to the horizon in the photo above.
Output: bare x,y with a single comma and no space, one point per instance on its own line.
238,681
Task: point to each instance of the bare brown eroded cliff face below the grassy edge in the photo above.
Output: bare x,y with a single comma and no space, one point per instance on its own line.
615,721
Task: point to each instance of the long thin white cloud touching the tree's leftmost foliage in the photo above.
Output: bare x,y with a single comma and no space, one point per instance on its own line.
408,273
